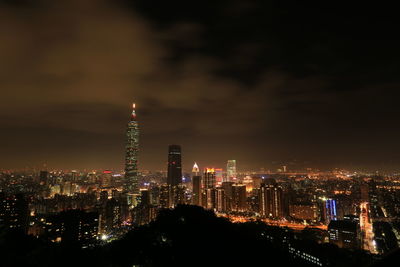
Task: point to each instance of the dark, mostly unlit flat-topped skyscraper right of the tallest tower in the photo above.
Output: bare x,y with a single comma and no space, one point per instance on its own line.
174,176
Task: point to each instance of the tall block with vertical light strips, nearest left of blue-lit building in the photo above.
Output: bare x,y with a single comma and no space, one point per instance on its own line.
271,200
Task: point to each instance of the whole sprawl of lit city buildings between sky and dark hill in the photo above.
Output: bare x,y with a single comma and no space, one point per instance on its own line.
348,209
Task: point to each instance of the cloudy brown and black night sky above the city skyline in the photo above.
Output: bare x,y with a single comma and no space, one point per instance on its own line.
256,81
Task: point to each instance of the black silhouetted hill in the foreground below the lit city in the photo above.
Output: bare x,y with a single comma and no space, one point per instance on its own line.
185,236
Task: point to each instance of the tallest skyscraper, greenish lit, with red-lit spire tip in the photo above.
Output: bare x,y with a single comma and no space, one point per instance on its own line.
131,184
